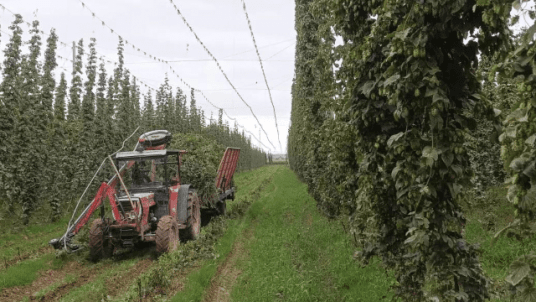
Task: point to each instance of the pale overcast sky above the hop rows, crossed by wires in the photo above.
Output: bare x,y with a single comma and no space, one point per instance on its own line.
157,29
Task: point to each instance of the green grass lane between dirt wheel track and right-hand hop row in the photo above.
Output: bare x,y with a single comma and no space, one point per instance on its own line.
296,254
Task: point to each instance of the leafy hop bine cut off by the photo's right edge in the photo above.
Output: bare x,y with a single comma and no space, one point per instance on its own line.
519,155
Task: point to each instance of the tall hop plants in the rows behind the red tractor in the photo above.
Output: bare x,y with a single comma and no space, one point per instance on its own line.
54,135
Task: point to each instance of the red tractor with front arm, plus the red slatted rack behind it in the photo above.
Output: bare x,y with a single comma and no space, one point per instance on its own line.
148,201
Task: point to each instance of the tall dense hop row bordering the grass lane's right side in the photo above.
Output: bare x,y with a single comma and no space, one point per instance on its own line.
393,125
